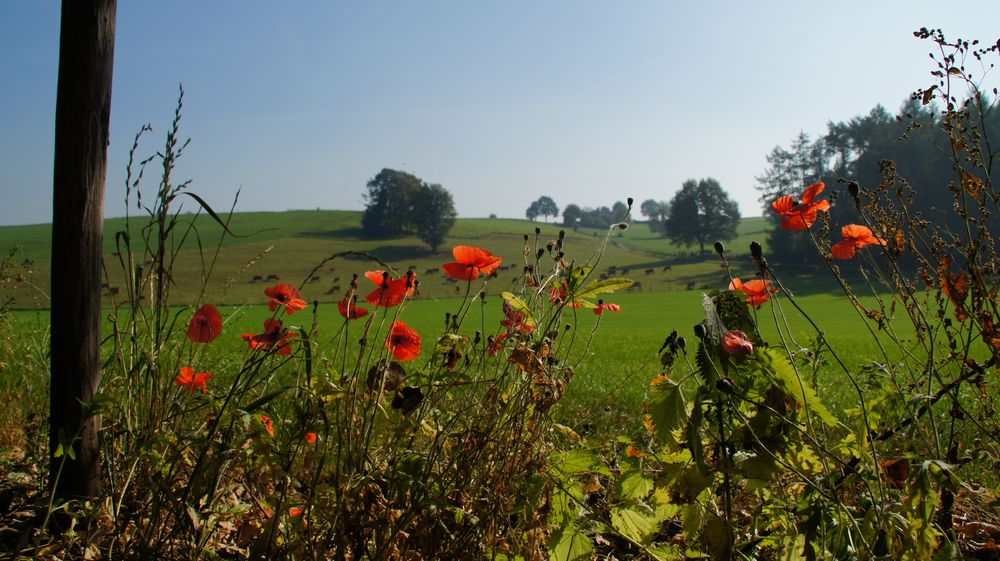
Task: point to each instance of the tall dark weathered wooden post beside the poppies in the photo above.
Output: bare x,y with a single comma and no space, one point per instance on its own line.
83,110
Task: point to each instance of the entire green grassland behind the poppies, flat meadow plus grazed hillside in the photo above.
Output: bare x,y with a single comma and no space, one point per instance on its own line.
611,380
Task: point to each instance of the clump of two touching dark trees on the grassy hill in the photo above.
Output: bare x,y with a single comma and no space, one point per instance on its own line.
400,203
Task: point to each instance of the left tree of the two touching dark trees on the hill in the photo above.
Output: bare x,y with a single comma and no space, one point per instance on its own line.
390,198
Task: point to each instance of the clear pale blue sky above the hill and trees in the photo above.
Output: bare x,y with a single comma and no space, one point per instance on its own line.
589,102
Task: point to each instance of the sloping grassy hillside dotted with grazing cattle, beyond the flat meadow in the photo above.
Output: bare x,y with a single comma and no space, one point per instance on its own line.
290,244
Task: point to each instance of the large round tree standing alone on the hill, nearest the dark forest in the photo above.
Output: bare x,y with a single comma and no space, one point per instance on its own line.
702,211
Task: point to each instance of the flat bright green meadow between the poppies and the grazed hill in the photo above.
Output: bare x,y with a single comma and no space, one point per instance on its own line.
613,373
